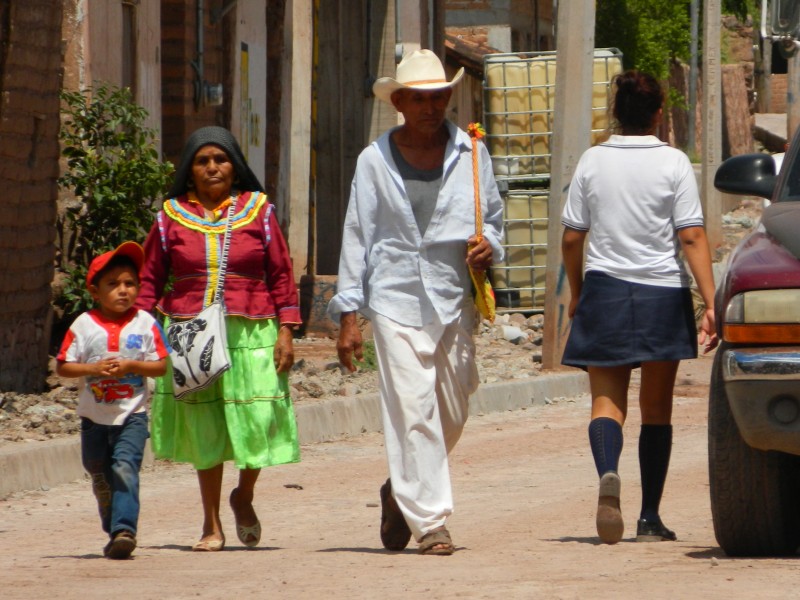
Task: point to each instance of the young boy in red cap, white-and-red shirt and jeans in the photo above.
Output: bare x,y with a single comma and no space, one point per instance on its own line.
113,348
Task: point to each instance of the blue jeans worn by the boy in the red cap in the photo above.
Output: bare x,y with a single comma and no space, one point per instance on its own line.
112,455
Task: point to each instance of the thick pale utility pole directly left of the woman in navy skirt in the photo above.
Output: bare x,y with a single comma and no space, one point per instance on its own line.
572,125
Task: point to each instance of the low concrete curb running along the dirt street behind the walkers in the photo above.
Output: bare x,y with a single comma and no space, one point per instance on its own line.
39,465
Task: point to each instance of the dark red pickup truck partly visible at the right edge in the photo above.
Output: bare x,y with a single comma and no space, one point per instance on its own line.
754,403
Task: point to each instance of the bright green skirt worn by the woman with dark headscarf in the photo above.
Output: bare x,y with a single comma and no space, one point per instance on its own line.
245,416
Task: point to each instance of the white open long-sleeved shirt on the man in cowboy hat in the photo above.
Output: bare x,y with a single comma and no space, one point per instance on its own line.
386,266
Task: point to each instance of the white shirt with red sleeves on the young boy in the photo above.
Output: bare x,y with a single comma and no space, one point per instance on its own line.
92,337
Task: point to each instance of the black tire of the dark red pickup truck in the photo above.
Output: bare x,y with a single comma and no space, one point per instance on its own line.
754,494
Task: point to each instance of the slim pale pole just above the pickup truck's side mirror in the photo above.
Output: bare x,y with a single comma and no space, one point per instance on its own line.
712,122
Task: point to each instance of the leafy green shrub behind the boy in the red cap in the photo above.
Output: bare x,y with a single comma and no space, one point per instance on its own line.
116,177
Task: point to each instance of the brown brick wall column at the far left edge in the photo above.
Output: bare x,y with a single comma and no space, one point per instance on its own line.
30,56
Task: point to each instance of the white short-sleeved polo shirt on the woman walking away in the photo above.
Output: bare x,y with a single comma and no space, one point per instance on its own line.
632,194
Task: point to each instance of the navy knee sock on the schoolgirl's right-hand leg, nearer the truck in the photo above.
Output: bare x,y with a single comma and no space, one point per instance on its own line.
655,447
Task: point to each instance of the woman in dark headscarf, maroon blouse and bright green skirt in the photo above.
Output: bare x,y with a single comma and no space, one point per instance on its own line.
246,415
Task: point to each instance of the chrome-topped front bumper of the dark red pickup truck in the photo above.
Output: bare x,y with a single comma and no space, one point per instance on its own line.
763,389
